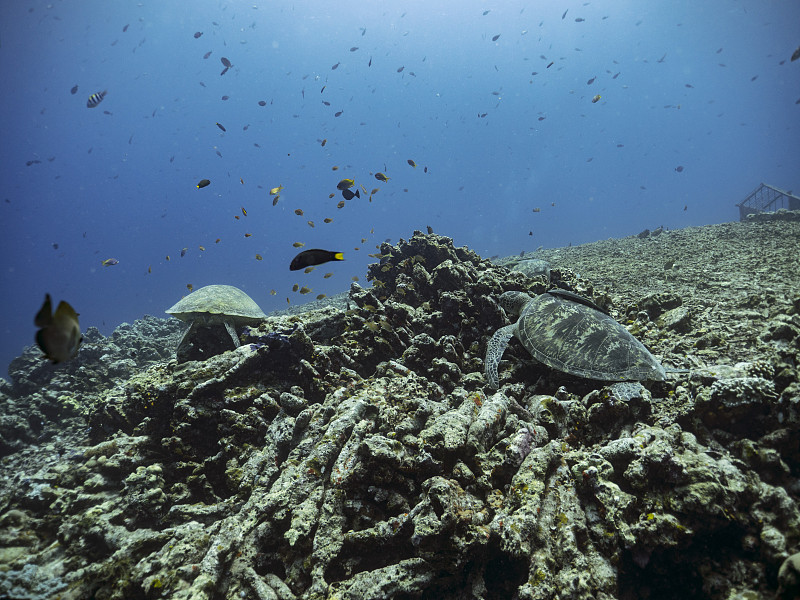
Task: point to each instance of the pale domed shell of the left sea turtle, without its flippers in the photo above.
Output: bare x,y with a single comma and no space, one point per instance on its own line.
217,303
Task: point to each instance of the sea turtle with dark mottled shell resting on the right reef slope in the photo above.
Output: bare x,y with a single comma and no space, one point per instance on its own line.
569,333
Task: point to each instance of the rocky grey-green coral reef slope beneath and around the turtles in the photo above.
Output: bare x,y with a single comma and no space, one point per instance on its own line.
356,452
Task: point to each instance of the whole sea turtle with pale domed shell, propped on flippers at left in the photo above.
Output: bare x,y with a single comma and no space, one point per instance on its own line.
211,311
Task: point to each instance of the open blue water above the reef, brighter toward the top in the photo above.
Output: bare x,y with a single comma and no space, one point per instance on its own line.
122,185
